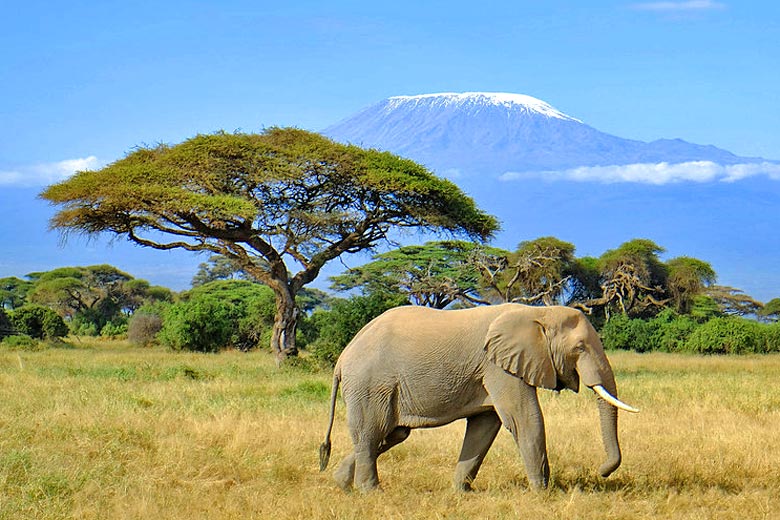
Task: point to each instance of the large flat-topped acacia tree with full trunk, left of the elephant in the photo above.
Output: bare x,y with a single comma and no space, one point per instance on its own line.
263,200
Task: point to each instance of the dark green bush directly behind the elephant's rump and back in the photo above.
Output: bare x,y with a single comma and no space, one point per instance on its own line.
336,327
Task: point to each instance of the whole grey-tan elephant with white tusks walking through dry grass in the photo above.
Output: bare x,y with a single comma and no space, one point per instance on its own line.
417,367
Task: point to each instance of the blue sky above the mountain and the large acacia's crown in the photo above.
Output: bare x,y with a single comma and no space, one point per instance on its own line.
85,81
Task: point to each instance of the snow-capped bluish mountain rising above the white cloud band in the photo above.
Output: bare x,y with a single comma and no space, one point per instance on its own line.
498,132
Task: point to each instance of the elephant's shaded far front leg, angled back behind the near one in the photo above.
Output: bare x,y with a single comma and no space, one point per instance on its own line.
481,430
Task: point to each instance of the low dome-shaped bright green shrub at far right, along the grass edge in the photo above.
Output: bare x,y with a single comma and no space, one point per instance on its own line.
727,336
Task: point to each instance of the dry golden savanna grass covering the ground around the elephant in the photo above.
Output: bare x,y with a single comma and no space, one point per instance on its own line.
107,431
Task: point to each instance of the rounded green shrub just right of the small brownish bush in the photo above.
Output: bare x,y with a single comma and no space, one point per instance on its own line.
204,324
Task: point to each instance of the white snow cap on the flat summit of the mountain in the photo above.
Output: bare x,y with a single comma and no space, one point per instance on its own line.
510,101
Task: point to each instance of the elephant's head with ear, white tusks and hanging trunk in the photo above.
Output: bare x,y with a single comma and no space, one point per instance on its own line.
557,348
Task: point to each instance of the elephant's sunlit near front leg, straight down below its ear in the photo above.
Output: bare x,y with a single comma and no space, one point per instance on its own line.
518,407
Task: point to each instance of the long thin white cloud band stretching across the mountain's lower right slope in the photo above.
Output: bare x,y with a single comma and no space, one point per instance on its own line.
655,173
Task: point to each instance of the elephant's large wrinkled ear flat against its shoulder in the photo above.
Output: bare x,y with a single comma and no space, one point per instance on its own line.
518,344
